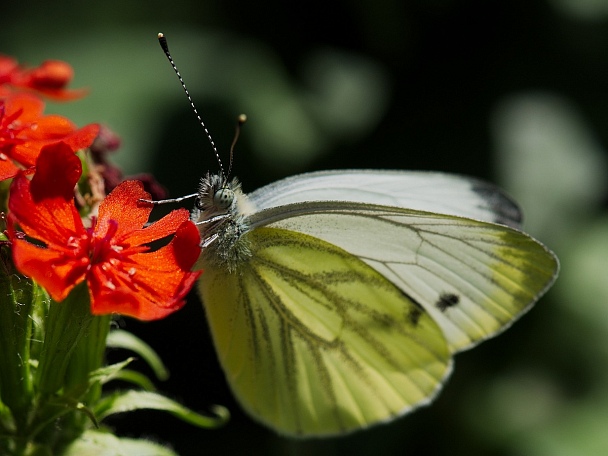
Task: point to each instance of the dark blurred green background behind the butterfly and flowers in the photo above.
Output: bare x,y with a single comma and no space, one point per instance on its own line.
515,92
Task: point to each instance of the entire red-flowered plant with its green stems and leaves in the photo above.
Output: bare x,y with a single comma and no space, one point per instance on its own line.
72,257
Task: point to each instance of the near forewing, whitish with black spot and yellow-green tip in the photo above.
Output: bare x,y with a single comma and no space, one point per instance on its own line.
472,277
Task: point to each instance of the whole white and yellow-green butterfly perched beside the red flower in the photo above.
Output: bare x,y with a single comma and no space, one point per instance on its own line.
337,300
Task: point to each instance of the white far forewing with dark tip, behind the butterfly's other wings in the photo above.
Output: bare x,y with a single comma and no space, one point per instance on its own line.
426,191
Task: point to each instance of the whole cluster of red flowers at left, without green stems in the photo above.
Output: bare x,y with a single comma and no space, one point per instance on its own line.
49,240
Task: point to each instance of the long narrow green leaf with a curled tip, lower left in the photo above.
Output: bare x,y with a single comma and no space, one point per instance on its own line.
136,400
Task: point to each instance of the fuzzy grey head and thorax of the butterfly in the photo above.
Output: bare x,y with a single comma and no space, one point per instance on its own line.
221,221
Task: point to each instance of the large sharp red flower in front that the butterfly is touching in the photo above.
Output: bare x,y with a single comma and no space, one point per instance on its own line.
123,274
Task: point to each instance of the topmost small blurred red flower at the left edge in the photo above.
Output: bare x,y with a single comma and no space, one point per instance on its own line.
50,78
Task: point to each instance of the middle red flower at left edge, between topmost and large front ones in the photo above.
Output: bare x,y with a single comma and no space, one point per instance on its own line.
24,131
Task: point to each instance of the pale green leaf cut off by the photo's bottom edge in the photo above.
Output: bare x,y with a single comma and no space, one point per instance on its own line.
98,443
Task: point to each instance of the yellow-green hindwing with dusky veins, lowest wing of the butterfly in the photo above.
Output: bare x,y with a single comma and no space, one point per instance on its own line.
314,341
